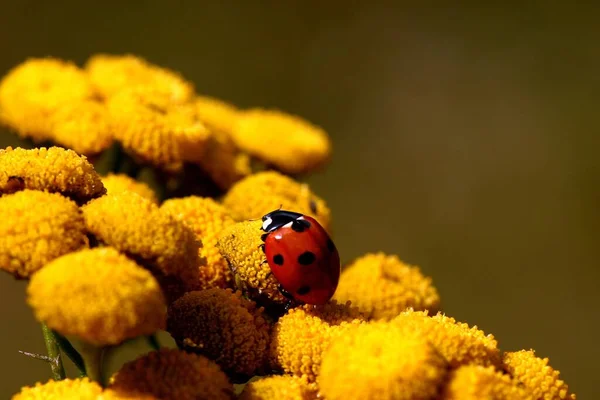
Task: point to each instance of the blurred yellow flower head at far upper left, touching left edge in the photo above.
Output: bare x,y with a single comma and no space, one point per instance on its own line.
32,91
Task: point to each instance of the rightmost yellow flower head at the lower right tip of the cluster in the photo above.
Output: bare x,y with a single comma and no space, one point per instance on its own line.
536,375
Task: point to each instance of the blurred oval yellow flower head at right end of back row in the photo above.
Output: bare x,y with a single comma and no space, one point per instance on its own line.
288,142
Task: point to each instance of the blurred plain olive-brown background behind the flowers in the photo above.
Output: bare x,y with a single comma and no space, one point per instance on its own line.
465,142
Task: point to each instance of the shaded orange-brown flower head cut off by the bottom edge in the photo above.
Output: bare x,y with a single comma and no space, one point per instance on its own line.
170,374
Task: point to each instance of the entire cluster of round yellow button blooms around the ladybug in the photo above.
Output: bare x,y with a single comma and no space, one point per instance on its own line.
108,260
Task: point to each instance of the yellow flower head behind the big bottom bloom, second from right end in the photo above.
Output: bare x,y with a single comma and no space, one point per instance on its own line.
458,343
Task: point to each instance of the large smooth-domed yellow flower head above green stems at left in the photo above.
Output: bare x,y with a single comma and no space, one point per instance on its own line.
98,295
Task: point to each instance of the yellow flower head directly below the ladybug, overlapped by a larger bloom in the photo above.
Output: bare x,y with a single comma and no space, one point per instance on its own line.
299,338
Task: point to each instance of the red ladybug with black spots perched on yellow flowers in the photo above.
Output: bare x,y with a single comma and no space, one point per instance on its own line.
302,257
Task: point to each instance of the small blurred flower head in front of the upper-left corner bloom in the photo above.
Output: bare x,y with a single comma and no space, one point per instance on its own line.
82,126
